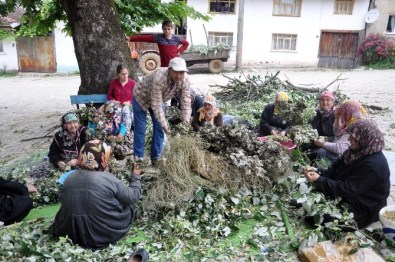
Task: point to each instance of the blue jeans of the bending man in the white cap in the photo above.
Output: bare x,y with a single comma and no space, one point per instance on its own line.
140,126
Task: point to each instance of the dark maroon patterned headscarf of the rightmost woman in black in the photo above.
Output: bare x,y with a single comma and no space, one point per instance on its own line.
369,140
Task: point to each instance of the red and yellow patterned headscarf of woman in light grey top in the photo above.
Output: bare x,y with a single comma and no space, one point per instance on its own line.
349,111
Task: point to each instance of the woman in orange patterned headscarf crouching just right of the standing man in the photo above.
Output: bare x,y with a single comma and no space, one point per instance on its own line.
209,113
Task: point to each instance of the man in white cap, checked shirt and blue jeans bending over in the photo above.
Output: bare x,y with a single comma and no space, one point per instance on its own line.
149,95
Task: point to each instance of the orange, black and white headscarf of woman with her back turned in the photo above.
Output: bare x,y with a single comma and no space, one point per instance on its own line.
94,156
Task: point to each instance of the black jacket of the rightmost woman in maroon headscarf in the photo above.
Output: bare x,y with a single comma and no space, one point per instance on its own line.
364,186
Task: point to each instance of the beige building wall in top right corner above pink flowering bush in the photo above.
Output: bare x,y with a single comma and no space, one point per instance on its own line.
386,8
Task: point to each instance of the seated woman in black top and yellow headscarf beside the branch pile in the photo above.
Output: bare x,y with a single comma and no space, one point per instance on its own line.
271,122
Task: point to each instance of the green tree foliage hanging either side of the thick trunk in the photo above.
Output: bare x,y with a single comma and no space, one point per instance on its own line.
41,15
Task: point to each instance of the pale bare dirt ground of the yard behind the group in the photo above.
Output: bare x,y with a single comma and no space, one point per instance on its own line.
31,104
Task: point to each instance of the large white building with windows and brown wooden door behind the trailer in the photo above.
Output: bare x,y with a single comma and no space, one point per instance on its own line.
283,31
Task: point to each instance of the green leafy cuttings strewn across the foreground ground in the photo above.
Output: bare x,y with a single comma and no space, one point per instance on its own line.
209,227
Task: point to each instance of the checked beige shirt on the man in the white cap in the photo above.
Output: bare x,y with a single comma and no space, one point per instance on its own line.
157,88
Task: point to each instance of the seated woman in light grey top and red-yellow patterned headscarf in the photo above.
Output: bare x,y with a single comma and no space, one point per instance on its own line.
347,113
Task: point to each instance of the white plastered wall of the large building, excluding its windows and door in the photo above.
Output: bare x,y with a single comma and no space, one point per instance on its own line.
260,24
